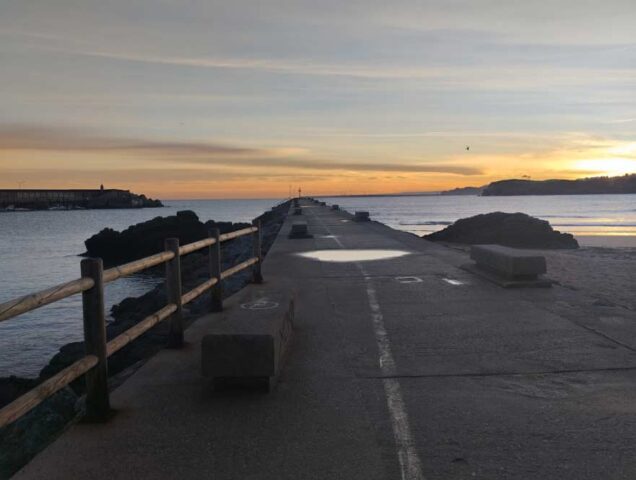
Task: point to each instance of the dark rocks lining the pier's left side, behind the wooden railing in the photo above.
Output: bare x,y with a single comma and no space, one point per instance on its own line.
21,440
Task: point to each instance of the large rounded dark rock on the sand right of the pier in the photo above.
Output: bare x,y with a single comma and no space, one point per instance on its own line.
511,229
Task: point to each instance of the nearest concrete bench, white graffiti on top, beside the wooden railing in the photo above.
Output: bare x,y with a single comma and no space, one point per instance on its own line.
247,346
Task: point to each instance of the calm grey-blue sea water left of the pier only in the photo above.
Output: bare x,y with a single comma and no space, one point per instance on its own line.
40,249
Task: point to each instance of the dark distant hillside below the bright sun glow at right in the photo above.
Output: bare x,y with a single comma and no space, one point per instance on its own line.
584,186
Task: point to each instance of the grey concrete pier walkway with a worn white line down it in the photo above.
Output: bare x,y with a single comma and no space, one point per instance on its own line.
401,368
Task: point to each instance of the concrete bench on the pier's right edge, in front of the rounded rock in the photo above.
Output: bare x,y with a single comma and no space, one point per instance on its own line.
509,267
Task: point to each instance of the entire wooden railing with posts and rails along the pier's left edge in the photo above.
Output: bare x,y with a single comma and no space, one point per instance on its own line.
94,365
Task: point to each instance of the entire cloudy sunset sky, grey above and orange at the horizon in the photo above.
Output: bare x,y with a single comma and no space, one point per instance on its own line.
238,99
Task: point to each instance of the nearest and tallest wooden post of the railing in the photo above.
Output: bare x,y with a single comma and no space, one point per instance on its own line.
97,400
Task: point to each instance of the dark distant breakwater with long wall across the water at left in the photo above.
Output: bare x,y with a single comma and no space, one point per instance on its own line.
31,199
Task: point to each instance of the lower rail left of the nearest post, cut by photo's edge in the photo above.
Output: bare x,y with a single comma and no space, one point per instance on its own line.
33,398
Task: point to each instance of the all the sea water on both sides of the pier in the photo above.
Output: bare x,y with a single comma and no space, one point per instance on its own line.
40,249
